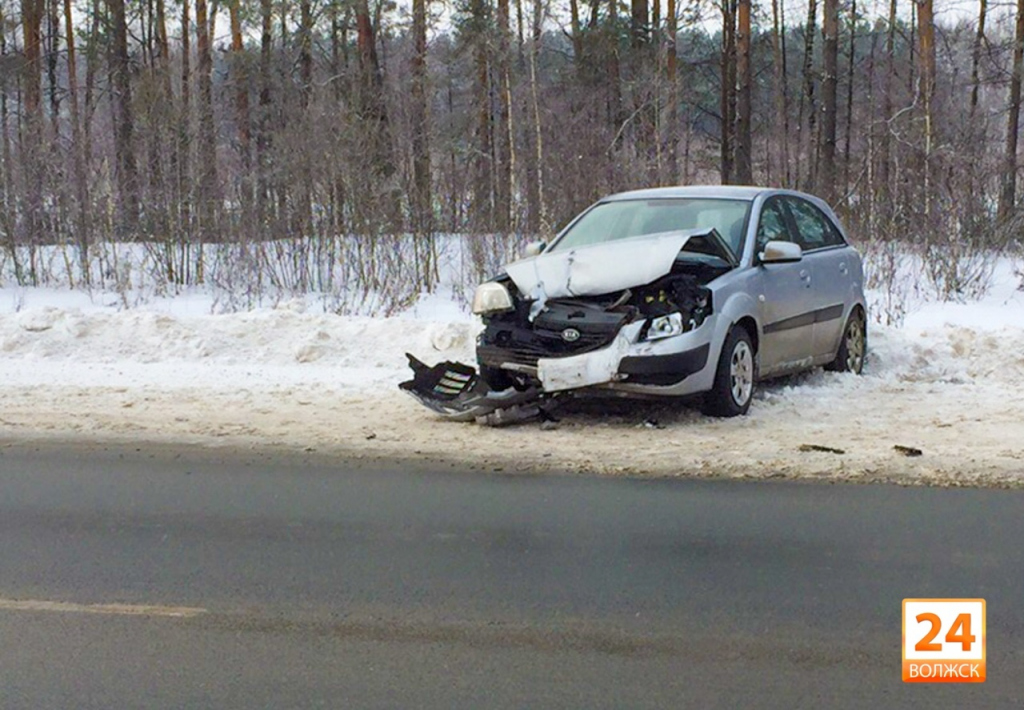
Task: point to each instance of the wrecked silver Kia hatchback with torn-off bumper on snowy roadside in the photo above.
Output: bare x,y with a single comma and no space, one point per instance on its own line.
672,293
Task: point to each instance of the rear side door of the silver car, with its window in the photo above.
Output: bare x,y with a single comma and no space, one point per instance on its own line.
831,265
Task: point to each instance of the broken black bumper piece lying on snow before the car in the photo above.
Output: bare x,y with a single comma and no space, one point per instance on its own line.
457,393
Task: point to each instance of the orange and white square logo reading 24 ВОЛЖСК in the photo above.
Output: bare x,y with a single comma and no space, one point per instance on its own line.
945,641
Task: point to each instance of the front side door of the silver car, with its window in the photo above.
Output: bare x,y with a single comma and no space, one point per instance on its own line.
786,298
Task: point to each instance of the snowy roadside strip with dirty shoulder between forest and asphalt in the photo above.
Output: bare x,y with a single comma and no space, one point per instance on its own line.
949,383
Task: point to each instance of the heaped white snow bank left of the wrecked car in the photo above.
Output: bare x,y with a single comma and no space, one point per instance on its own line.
174,344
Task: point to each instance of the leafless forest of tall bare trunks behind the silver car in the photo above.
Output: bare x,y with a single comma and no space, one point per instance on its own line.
185,123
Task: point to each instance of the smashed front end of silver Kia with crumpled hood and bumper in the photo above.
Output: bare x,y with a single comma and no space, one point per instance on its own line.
568,332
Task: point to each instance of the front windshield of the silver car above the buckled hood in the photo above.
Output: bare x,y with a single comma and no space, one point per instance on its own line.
624,219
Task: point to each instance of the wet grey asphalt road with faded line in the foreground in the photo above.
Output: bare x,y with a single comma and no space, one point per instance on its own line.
312,583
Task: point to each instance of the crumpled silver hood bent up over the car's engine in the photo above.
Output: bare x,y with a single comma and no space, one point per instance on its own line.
600,269
